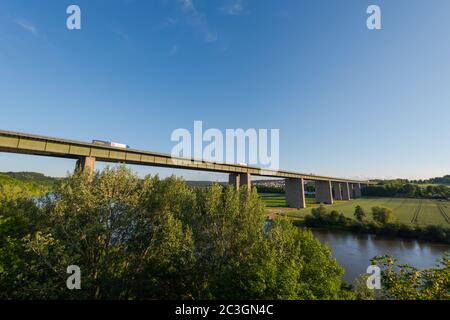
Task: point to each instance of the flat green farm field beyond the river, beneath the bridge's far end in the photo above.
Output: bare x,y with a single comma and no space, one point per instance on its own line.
408,211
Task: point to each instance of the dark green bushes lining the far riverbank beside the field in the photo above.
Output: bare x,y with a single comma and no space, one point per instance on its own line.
382,223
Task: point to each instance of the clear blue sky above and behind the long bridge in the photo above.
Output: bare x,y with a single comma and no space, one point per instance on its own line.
348,101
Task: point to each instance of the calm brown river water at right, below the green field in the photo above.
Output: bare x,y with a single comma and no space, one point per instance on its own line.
353,252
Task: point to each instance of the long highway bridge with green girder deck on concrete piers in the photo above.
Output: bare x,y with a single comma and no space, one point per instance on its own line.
327,188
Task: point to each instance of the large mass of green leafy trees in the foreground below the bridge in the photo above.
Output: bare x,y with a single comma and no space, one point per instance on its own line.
157,239
